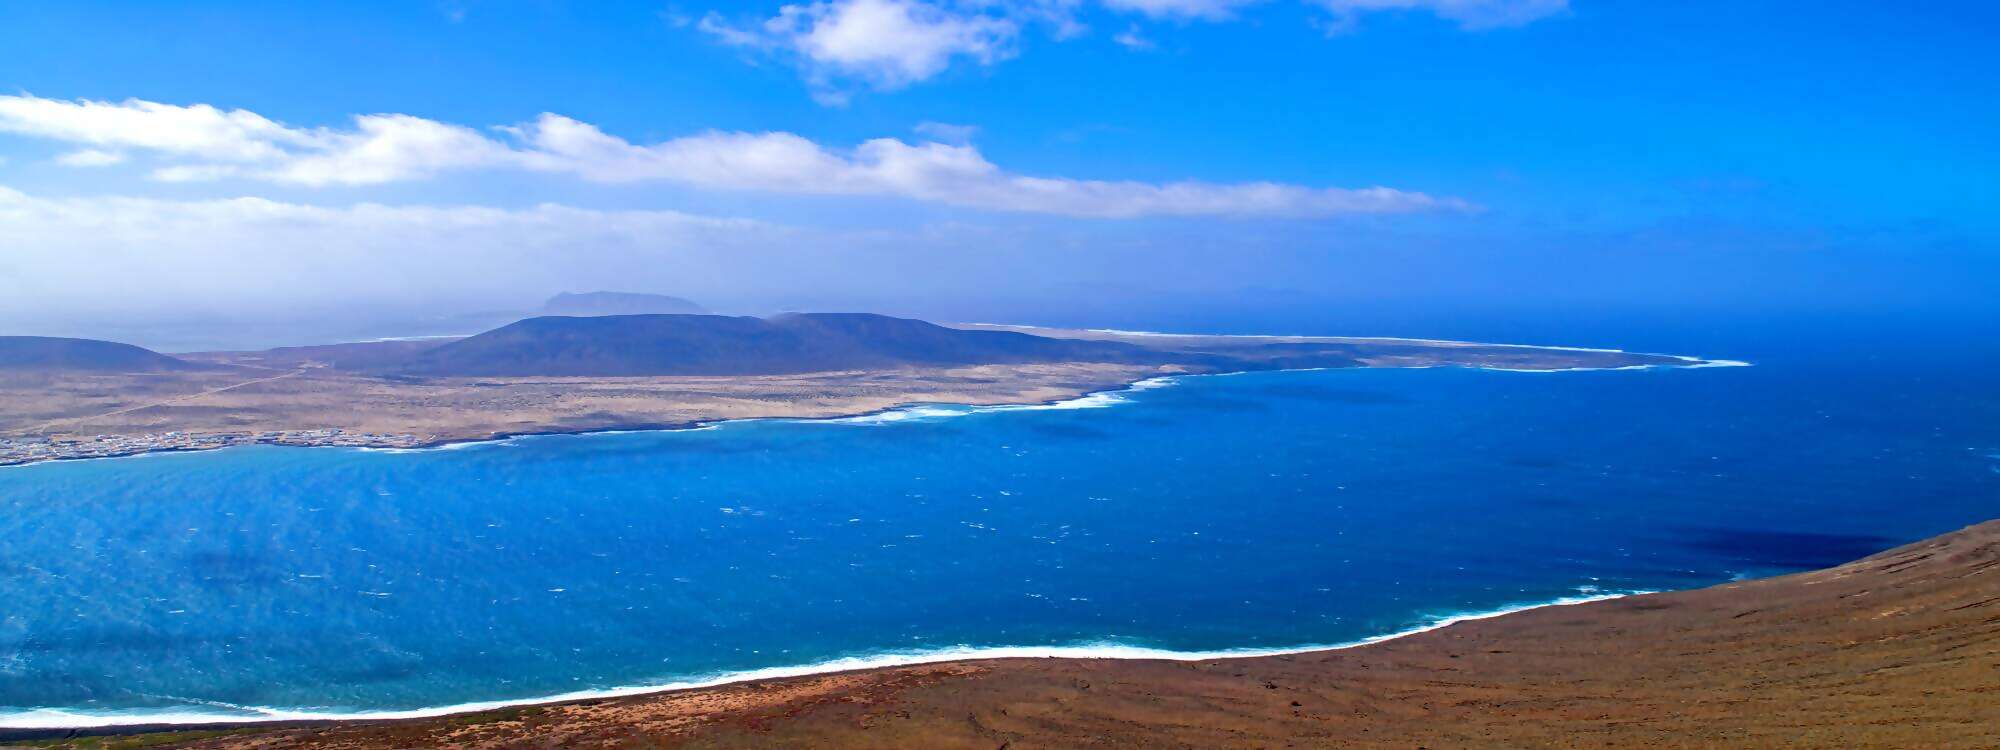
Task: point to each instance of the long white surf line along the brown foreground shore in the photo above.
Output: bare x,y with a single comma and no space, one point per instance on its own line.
59,719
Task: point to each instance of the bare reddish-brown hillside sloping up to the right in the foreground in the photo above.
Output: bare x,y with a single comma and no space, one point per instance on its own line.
1895,651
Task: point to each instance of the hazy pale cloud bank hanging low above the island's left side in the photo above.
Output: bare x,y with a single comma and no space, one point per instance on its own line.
249,257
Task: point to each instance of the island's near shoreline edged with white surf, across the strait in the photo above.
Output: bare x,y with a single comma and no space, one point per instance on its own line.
451,443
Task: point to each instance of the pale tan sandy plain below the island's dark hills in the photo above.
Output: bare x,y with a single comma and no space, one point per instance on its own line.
475,409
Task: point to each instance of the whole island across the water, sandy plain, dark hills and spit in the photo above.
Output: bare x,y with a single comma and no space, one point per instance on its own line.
87,399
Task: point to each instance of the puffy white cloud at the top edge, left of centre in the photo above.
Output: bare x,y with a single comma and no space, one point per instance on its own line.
883,43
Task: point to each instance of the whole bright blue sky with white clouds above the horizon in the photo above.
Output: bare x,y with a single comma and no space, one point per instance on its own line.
293,173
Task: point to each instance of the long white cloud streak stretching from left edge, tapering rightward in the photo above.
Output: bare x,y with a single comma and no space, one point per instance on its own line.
397,147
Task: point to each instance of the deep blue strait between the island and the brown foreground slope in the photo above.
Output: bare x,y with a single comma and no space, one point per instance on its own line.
1253,511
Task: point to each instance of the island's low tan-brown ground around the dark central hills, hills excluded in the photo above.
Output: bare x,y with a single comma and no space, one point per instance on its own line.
313,389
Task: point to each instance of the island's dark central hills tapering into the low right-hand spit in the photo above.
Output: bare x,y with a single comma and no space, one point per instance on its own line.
799,343
